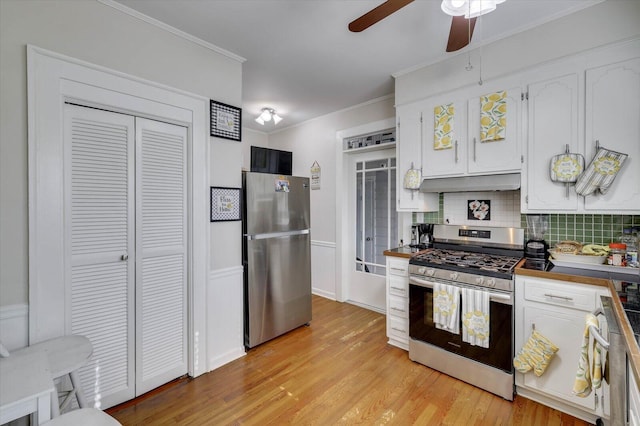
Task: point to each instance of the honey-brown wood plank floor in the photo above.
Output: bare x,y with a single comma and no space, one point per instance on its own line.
338,370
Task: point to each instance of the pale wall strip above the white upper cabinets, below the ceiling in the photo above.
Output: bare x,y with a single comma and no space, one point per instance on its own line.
602,24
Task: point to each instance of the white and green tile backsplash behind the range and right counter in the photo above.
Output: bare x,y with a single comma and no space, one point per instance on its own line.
505,211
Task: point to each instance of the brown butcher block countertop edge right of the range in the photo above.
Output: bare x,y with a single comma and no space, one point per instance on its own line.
633,351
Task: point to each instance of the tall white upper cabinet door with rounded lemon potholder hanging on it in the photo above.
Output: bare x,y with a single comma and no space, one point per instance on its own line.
553,124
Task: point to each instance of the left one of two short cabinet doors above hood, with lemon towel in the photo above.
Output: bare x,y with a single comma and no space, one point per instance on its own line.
444,150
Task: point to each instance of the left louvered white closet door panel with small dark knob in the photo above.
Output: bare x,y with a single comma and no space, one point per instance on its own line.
99,193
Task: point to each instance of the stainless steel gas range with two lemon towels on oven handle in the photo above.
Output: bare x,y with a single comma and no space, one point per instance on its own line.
470,261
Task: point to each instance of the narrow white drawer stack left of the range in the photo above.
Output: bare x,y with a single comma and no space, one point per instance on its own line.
398,302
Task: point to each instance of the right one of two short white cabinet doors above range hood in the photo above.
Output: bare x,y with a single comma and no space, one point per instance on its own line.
503,155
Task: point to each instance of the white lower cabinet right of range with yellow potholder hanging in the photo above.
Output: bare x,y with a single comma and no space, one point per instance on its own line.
557,310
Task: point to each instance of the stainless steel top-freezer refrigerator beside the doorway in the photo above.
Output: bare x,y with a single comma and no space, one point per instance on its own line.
276,253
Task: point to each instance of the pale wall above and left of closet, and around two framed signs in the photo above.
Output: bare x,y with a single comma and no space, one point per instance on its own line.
99,34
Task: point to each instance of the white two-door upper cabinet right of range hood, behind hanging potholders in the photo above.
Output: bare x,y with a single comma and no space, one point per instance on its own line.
580,111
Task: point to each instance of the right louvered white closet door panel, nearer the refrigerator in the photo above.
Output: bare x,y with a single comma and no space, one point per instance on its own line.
161,247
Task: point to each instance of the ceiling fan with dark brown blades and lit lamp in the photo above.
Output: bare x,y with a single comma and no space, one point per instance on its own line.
462,24
